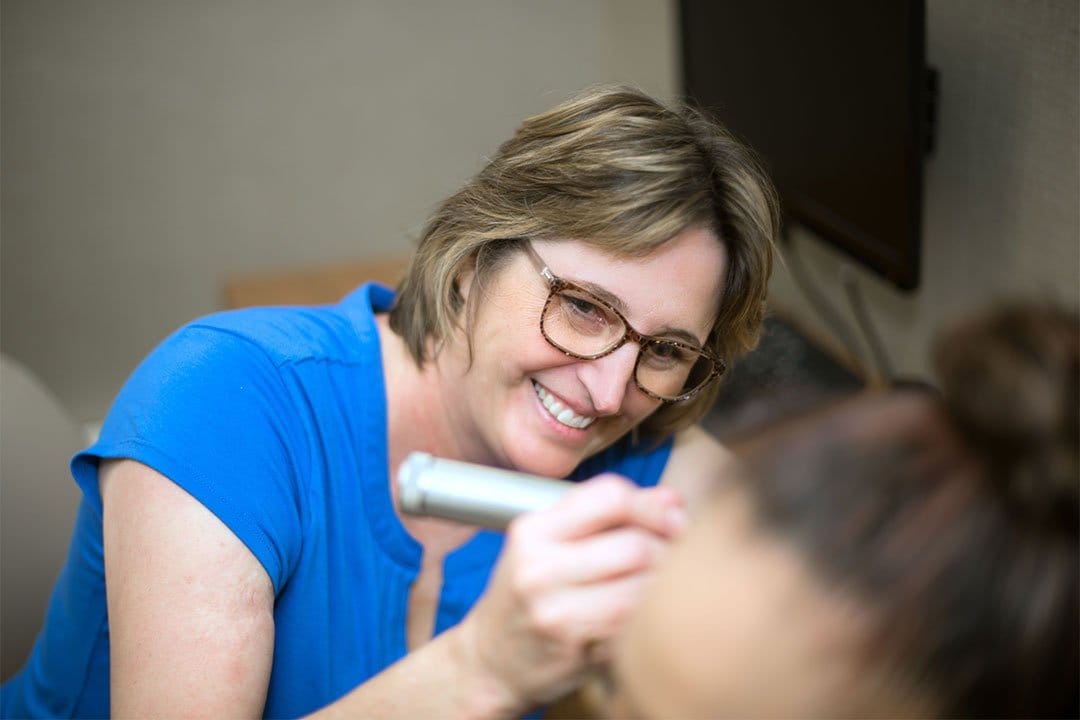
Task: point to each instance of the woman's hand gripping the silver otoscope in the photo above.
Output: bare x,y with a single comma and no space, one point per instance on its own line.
568,579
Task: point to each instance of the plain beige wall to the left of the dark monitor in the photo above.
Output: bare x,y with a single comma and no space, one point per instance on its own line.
152,150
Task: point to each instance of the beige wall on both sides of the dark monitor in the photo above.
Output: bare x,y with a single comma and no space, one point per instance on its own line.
153,148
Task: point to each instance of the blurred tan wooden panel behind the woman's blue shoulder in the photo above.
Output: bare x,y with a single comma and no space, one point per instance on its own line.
313,286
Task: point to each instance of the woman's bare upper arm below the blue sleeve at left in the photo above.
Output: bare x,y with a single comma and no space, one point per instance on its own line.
191,608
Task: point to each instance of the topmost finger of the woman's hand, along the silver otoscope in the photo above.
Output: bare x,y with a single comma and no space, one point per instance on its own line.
610,501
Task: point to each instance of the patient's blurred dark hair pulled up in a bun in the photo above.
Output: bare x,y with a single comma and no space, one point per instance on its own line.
952,517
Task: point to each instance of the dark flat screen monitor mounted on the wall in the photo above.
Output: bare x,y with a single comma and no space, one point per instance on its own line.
834,97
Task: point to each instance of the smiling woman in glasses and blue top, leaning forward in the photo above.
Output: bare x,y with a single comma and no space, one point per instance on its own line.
569,313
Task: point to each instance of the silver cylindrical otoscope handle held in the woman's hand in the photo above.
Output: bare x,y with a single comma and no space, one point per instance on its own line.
475,495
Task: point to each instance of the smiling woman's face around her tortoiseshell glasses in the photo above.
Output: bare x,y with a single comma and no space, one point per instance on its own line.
509,363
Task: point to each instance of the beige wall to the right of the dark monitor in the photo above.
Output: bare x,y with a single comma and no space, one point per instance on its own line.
1001,215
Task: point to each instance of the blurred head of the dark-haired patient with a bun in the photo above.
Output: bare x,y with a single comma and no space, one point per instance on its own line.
901,554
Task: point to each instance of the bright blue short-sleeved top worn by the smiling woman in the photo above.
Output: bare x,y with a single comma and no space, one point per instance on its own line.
275,419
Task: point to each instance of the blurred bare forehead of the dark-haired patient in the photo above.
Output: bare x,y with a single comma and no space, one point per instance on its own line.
735,624
